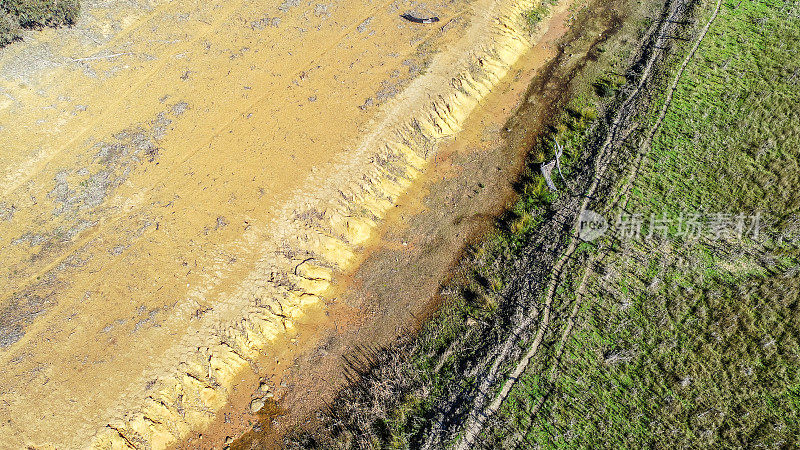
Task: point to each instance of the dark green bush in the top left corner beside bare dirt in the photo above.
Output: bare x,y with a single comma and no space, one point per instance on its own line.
16,15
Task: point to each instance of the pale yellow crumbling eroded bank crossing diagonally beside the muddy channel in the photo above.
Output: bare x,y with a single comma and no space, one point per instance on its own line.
320,232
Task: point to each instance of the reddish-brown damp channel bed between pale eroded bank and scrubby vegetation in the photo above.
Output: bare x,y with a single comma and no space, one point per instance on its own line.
412,252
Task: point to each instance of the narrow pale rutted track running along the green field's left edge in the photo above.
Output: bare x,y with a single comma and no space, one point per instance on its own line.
540,276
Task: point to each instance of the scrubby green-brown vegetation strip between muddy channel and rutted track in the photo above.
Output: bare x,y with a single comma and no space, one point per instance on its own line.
420,394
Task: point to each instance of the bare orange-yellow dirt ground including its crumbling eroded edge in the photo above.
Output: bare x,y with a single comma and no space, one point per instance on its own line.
188,189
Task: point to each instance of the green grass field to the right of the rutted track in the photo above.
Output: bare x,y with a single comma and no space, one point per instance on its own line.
684,343
